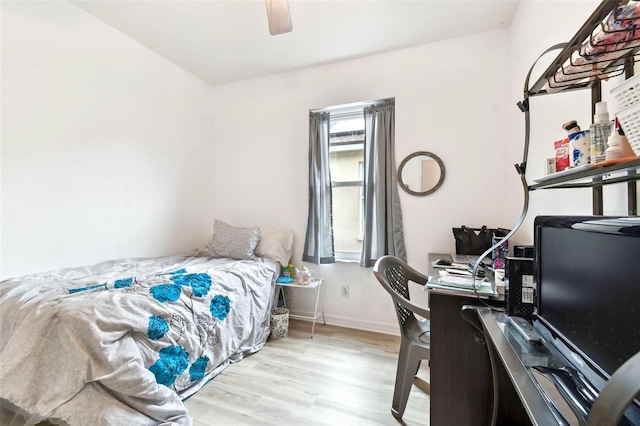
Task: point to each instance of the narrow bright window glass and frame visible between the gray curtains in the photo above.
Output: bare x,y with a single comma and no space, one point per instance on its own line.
346,164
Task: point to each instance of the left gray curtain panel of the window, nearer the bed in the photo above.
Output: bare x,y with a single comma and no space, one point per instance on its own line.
318,244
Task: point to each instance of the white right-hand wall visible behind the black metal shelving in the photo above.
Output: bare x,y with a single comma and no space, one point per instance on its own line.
528,39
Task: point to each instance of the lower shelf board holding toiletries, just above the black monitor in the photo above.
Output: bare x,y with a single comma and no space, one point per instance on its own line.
623,172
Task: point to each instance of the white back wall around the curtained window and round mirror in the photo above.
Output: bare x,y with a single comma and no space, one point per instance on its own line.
450,99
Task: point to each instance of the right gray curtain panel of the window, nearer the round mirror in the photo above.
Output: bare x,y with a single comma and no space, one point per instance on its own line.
383,233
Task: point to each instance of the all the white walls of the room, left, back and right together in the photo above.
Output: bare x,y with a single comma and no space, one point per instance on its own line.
111,151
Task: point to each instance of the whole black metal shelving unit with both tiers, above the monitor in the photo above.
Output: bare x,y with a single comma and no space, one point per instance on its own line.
606,45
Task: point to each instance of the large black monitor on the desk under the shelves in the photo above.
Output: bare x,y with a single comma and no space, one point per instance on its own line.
587,271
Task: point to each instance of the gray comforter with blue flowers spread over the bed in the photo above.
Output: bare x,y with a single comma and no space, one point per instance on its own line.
123,342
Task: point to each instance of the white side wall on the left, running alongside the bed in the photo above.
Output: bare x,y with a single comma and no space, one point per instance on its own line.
105,145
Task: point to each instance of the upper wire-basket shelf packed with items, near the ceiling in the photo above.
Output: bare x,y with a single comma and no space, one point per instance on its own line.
596,52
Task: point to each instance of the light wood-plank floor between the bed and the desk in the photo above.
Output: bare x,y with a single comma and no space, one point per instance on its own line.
339,377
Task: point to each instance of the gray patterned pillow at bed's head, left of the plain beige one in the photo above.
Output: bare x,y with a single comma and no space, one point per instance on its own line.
230,241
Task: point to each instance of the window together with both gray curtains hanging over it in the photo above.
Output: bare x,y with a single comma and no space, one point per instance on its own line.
354,206
